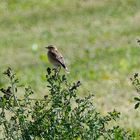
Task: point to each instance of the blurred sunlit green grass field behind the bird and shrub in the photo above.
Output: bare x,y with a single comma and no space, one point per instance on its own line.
98,39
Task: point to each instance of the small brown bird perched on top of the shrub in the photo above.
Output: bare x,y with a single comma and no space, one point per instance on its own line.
55,57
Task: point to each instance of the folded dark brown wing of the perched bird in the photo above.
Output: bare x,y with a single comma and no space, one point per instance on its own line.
58,57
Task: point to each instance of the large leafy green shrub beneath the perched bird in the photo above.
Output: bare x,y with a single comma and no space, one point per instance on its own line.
60,115
